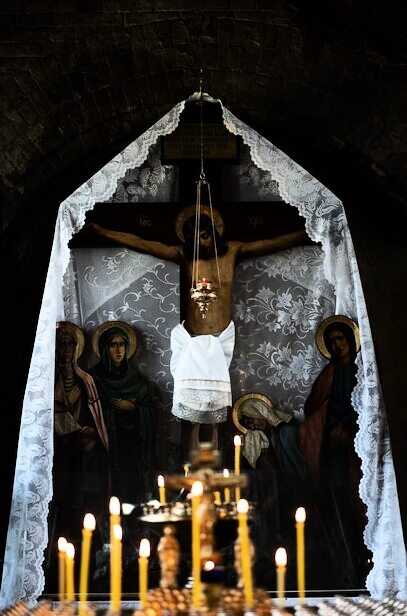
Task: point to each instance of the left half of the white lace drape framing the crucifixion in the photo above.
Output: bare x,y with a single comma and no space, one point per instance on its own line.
27,537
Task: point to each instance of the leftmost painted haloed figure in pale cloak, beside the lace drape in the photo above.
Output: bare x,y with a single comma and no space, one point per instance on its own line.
81,444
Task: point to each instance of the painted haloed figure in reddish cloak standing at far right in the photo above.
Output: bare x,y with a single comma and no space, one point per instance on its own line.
326,441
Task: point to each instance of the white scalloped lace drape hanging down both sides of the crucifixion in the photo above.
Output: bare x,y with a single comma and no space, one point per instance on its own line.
325,223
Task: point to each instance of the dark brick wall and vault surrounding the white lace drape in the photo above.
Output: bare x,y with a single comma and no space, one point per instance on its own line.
324,83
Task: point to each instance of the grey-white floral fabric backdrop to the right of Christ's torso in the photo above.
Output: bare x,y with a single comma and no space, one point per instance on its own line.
279,301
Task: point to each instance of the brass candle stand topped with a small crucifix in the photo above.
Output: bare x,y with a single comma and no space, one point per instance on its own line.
215,598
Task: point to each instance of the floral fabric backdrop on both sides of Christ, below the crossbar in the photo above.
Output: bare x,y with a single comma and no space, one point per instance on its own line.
279,301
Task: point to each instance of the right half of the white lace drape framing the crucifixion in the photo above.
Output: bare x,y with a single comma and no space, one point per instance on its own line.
325,222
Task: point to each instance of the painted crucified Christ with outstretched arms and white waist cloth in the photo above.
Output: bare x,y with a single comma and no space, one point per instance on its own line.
205,345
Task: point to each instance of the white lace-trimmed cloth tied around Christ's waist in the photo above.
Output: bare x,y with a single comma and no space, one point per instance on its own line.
200,367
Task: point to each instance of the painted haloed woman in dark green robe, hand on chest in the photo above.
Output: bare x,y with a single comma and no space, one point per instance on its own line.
129,411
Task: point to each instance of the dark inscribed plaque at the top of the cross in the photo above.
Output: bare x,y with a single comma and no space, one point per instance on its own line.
185,142
